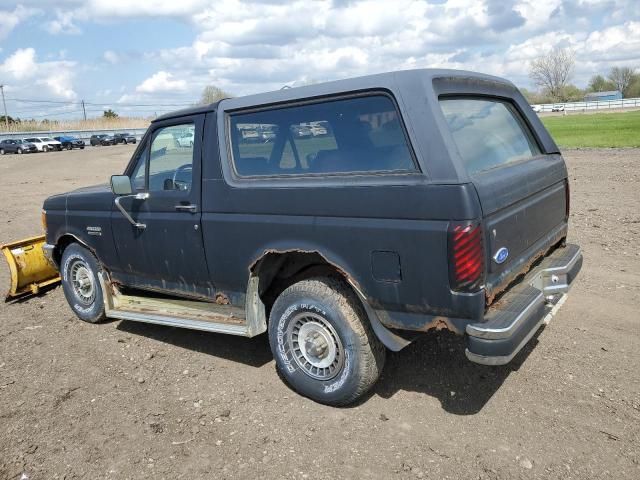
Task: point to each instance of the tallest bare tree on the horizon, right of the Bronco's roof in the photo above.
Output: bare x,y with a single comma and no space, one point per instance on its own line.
553,71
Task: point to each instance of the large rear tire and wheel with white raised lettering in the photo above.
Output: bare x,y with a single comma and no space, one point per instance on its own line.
322,342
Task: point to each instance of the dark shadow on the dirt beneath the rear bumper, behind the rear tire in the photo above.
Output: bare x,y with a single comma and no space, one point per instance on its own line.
436,365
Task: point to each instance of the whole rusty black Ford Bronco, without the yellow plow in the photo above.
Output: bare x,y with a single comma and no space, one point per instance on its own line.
342,218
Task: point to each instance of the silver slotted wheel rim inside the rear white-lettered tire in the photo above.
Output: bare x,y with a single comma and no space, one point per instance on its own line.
315,346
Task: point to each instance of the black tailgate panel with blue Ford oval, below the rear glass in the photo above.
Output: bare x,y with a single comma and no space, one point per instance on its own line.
524,214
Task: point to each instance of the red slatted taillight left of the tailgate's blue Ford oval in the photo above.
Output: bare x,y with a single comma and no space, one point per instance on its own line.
466,257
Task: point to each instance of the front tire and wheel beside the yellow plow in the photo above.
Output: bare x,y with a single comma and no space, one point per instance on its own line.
79,269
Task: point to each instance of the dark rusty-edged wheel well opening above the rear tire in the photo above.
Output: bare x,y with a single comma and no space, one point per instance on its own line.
278,270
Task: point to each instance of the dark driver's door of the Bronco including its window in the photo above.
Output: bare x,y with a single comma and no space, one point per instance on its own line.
168,253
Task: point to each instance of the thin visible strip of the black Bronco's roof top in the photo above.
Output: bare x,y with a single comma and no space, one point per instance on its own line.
380,80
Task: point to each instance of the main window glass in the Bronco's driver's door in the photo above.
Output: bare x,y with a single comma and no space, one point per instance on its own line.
171,158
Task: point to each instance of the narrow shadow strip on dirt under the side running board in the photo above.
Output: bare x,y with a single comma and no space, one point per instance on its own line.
254,352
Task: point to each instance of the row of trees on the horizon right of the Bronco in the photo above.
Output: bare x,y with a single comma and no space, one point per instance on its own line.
553,71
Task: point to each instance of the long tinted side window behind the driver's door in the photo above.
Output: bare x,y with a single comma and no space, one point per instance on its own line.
346,135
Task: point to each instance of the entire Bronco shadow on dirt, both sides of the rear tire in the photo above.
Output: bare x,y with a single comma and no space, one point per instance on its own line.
434,364
